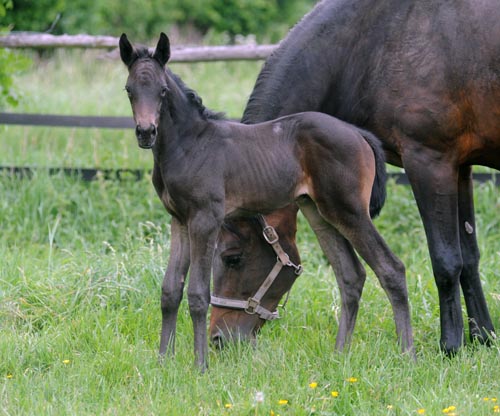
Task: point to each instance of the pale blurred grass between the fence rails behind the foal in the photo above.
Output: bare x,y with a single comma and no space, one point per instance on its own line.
89,83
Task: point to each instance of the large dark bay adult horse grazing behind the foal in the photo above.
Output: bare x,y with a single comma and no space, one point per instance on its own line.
424,76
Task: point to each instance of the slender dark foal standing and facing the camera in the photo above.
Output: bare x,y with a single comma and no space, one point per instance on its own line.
207,169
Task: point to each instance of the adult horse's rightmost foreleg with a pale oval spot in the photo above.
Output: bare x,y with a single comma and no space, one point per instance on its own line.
480,325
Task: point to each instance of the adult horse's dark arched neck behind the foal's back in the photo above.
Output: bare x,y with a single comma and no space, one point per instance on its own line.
303,73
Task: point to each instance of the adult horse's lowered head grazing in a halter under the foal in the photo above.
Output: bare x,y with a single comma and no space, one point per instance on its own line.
242,262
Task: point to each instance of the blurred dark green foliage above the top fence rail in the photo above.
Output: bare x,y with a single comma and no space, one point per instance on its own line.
144,19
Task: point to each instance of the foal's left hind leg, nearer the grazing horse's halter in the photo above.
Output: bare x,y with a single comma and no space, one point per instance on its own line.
349,272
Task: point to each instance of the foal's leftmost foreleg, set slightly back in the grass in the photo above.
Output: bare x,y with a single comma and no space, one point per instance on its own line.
173,284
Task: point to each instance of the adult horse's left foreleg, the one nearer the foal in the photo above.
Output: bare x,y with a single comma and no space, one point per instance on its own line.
434,185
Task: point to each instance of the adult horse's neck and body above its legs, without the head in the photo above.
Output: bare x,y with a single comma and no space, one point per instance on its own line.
426,71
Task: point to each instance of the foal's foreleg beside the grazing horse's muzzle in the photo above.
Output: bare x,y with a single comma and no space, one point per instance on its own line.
203,232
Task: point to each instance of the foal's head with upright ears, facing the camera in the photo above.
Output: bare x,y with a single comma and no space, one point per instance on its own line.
146,86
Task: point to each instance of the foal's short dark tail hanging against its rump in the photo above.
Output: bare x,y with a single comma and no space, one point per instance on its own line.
379,184
